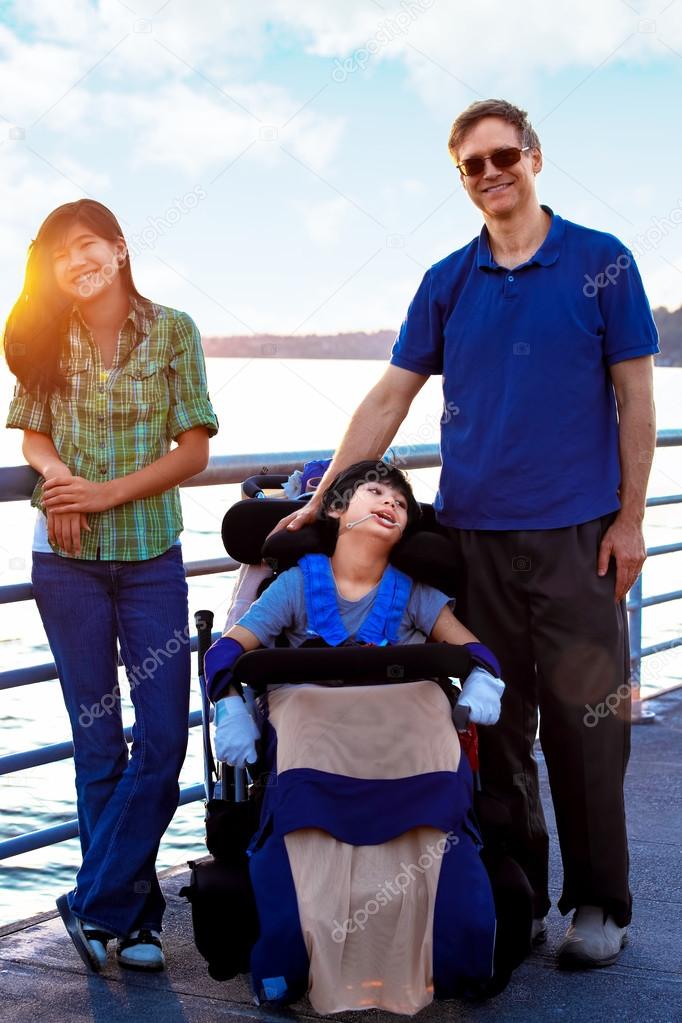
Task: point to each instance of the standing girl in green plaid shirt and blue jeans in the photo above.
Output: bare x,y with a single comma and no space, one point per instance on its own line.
107,382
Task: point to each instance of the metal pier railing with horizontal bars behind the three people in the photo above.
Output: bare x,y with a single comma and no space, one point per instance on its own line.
17,483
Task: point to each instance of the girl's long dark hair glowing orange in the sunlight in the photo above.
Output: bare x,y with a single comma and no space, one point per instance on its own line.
35,331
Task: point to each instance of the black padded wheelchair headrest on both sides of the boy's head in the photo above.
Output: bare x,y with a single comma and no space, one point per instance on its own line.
427,555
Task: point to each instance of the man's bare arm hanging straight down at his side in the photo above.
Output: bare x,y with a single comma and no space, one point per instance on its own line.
624,541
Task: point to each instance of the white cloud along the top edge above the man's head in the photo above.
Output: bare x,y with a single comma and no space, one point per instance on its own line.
453,53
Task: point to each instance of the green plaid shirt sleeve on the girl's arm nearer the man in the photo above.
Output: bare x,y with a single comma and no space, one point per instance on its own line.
191,406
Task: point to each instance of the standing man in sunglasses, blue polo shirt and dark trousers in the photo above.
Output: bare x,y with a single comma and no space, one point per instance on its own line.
547,446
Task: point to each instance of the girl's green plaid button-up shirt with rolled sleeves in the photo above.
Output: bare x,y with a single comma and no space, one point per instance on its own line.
109,423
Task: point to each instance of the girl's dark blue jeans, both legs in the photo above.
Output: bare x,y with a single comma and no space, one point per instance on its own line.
125,803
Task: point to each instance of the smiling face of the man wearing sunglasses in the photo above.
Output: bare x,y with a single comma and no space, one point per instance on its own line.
499,192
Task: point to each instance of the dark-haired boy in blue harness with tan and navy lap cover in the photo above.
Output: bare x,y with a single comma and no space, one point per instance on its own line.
367,868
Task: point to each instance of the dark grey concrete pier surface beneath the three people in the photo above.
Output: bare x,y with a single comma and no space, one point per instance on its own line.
42,978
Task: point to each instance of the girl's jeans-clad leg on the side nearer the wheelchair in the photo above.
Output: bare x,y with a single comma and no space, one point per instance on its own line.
123,892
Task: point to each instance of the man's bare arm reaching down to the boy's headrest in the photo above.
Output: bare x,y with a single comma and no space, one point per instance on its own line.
371,431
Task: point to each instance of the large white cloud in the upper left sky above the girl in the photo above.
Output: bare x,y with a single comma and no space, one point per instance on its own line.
171,92
